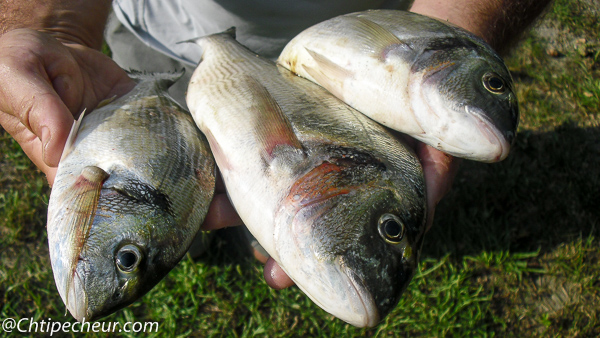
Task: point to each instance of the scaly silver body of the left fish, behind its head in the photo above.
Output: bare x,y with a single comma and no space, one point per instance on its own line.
120,139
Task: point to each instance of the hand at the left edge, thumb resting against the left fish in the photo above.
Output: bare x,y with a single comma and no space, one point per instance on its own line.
45,84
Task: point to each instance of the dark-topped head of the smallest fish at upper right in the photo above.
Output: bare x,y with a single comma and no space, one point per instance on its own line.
469,94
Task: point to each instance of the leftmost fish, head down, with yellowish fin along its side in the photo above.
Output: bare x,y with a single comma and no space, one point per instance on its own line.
132,188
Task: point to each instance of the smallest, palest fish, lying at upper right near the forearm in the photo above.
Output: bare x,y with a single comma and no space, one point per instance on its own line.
423,77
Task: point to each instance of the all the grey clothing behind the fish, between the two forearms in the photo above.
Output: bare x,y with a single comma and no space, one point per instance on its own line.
143,34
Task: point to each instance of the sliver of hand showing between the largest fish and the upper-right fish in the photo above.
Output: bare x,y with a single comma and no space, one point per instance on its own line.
439,170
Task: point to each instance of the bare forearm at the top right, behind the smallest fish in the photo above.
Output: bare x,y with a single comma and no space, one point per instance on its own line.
499,22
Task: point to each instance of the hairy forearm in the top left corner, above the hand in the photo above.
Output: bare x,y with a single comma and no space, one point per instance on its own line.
78,21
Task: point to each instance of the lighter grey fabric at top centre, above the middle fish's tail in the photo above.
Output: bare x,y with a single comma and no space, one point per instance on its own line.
264,26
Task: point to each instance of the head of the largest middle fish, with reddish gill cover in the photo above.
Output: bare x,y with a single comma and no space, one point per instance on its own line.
354,237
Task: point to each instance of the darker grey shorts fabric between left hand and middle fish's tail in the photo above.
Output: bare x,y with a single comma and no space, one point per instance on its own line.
131,53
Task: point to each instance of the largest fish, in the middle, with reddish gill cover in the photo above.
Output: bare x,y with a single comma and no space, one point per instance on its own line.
333,197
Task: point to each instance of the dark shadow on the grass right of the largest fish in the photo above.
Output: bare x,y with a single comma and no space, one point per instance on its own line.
545,193
